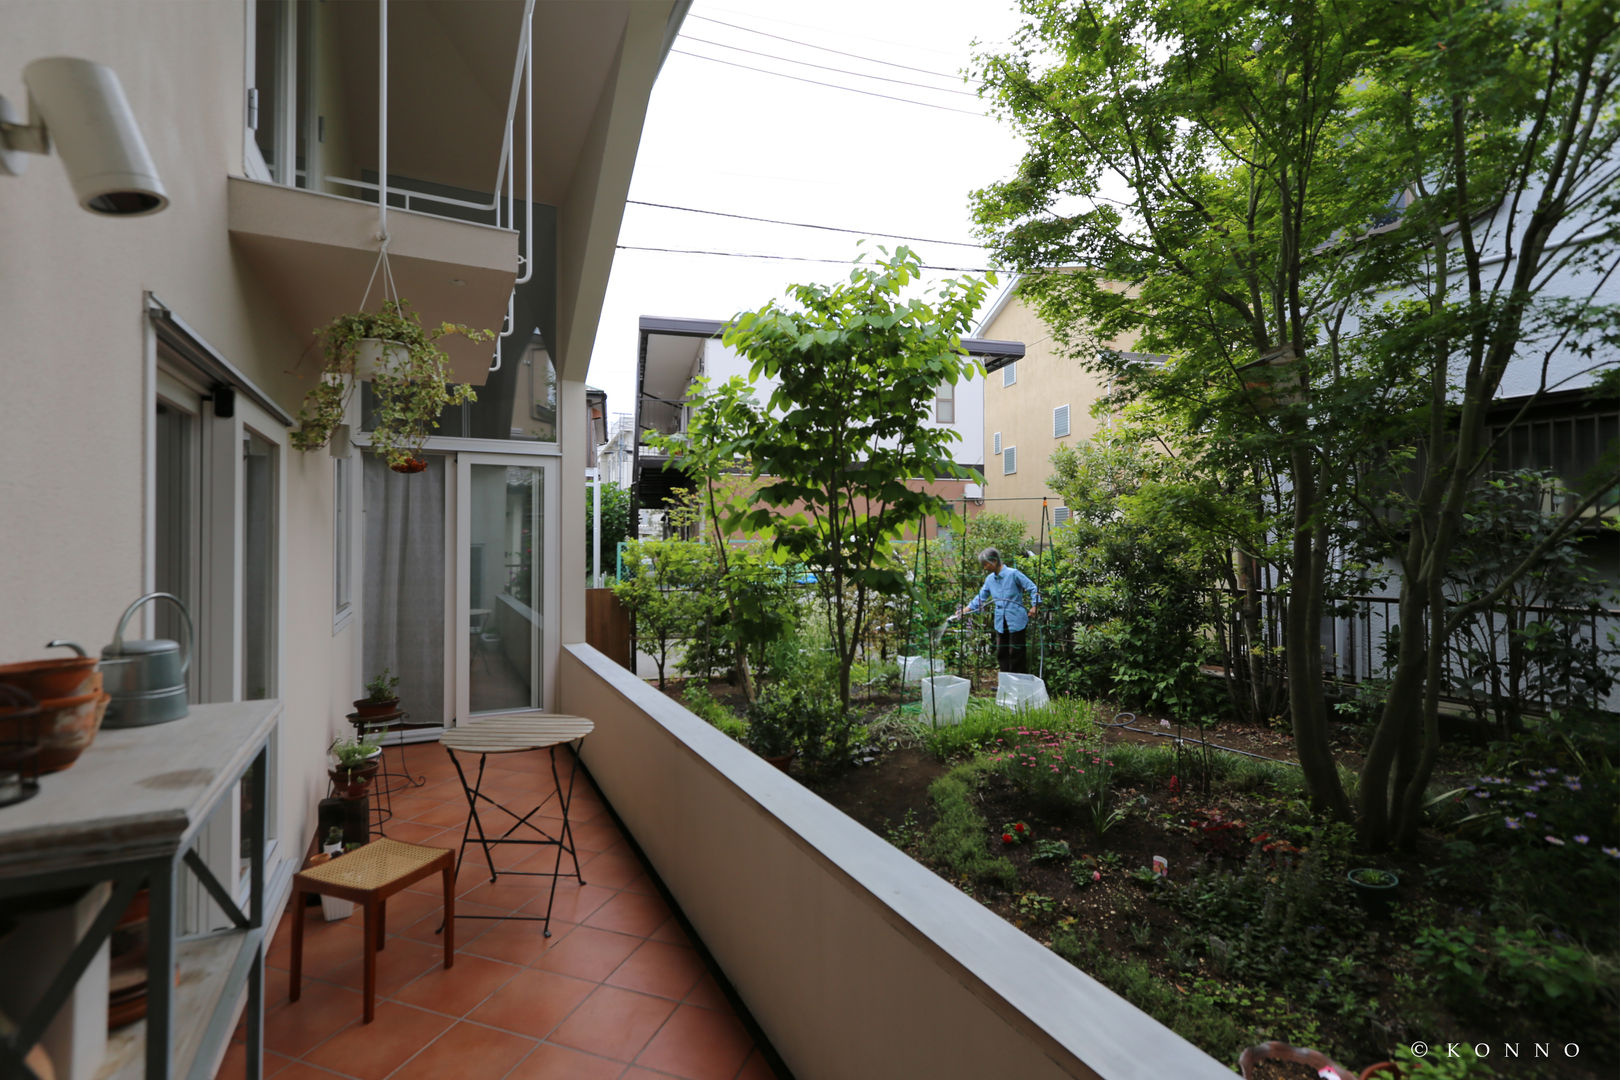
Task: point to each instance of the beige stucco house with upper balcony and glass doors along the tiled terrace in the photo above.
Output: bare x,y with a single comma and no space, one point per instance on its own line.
153,367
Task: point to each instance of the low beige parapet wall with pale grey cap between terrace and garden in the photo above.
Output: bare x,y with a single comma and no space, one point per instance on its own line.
855,959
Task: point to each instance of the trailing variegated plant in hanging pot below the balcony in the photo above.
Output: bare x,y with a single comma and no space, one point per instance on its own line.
411,378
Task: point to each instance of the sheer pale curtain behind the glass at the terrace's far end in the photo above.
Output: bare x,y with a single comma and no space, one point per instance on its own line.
404,582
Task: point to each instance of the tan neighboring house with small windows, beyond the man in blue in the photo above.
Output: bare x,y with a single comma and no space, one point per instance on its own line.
1033,407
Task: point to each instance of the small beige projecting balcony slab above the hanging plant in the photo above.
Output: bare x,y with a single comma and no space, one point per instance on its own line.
315,255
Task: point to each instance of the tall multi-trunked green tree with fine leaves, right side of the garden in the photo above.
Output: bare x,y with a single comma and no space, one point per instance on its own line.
1292,176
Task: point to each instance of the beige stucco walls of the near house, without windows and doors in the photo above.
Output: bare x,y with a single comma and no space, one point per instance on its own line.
245,265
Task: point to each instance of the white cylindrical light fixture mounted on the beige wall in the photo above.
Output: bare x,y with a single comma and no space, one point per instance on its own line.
80,108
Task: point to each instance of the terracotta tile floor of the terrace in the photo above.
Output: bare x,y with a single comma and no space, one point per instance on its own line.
616,992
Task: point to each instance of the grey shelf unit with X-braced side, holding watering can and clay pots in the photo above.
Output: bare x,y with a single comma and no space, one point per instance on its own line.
129,814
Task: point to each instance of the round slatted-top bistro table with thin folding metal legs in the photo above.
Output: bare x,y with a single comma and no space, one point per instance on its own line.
518,734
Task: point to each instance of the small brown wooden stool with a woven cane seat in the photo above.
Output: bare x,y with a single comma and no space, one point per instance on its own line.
369,877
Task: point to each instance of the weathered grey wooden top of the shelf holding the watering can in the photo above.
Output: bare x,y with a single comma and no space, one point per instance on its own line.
137,793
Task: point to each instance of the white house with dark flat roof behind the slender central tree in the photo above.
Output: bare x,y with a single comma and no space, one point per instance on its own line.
676,352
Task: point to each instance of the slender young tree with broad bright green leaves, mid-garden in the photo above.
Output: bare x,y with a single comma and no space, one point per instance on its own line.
858,368
